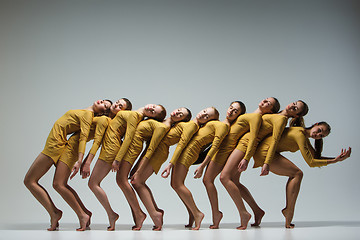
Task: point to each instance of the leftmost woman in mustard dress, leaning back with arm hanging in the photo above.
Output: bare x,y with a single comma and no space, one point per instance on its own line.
72,121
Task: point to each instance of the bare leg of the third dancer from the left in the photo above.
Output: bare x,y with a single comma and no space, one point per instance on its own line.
99,172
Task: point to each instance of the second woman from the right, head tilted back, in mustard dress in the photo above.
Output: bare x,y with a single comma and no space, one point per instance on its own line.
271,124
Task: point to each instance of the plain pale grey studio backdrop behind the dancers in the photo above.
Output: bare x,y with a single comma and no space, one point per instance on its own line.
61,55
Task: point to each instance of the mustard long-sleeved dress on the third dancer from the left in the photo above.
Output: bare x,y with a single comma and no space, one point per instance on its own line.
112,146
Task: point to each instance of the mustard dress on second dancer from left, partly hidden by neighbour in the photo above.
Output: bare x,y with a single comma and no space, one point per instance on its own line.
97,130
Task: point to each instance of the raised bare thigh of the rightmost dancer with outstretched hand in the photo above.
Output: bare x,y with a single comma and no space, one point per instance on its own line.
283,166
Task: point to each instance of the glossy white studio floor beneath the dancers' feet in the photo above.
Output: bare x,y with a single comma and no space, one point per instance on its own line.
329,230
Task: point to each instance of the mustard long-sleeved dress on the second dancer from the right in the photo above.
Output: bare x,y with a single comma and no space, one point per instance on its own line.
271,124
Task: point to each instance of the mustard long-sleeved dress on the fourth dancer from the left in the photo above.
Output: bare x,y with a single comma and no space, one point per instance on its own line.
146,130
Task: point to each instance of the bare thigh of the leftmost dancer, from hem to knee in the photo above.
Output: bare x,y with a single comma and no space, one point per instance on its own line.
39,167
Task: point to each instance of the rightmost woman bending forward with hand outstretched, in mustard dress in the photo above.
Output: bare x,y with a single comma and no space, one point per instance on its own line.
294,139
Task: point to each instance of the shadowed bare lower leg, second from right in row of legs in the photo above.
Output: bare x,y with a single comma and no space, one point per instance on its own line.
246,195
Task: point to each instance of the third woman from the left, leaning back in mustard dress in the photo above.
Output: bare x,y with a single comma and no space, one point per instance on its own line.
124,123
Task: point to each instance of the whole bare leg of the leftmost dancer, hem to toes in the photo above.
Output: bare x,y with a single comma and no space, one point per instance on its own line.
38,169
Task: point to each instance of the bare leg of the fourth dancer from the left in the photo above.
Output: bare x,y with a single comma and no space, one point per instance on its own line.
122,180
